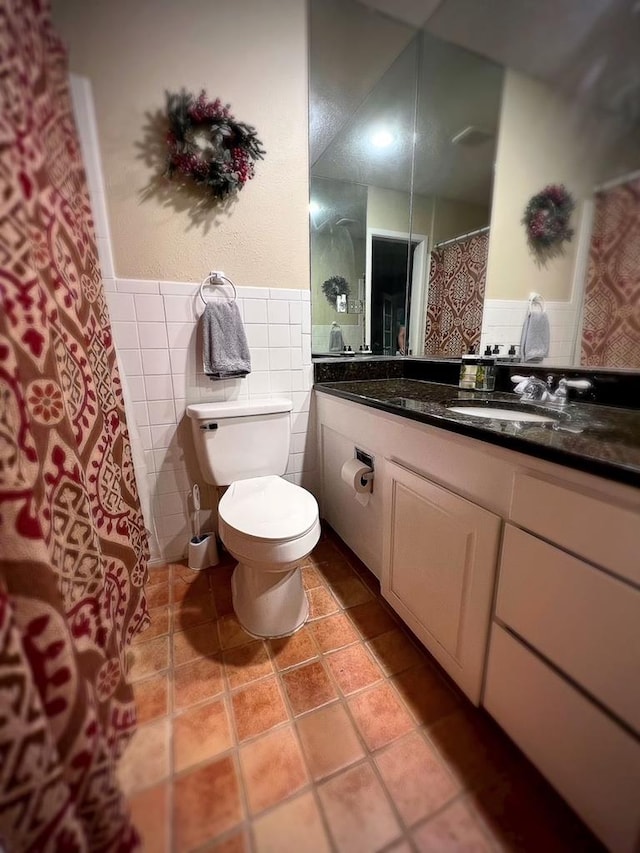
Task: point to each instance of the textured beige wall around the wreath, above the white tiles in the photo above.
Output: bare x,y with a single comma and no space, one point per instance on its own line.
251,53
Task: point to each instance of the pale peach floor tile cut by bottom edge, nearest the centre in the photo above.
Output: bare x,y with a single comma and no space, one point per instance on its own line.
293,827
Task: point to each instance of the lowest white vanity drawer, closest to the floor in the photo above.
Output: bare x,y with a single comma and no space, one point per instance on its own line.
593,762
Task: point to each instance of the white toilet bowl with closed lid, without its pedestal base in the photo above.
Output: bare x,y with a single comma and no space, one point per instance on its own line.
268,521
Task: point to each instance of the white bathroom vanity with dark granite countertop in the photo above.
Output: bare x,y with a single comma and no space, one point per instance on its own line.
513,554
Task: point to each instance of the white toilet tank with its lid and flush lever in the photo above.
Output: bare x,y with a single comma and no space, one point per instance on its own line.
241,439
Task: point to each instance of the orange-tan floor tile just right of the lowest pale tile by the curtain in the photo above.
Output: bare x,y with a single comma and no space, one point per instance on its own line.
201,733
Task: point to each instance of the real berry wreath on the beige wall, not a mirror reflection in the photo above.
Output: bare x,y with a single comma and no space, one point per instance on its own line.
208,145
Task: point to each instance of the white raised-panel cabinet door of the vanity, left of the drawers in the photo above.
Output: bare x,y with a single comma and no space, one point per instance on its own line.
439,569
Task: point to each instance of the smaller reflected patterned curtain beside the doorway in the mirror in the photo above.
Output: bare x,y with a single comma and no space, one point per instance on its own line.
455,301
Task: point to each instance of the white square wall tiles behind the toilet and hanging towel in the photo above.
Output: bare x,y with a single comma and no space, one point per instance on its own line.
155,325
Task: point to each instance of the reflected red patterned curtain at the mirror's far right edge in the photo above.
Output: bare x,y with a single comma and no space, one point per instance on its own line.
611,323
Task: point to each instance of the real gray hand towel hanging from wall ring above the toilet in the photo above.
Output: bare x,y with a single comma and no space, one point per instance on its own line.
225,352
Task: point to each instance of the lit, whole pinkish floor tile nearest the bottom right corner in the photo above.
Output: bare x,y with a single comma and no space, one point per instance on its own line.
415,777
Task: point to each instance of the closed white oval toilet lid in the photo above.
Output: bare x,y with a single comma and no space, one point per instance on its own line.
268,508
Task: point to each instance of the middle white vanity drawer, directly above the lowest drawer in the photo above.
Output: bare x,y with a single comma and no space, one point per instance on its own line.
582,619
